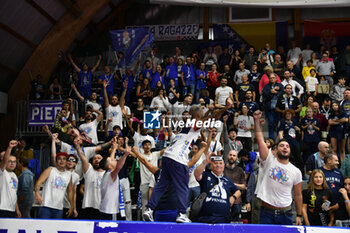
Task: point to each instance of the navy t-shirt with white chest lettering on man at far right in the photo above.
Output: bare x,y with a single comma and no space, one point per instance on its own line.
335,181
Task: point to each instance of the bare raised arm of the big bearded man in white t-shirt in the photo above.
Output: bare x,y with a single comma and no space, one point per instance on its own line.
258,122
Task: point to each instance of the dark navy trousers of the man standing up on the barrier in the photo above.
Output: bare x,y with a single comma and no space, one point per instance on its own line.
177,174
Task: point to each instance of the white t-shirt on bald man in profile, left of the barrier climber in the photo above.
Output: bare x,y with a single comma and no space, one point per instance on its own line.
109,194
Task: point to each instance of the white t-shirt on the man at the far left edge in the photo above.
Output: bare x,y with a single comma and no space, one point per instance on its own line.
8,190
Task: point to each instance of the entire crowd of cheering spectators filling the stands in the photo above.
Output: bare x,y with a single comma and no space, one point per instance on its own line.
106,151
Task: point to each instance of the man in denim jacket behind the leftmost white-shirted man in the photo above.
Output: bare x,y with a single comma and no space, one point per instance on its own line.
25,197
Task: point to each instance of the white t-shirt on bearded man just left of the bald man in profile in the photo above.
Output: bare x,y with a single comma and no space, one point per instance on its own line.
92,188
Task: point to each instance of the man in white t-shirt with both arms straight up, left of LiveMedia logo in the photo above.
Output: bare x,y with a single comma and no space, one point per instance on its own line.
114,107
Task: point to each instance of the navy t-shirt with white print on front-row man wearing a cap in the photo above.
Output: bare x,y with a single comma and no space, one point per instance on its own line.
216,206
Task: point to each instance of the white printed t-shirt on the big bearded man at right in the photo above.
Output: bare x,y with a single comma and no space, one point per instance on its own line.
277,182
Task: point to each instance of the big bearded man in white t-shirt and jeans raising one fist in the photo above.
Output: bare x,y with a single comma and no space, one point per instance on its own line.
275,183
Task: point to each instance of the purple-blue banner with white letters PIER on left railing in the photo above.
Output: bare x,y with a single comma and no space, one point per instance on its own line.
43,112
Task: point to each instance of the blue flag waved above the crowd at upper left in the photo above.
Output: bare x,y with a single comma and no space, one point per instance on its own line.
131,42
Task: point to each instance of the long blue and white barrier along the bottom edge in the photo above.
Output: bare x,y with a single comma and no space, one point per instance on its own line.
71,226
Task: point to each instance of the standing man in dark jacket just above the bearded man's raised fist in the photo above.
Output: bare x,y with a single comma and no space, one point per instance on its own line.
270,93
